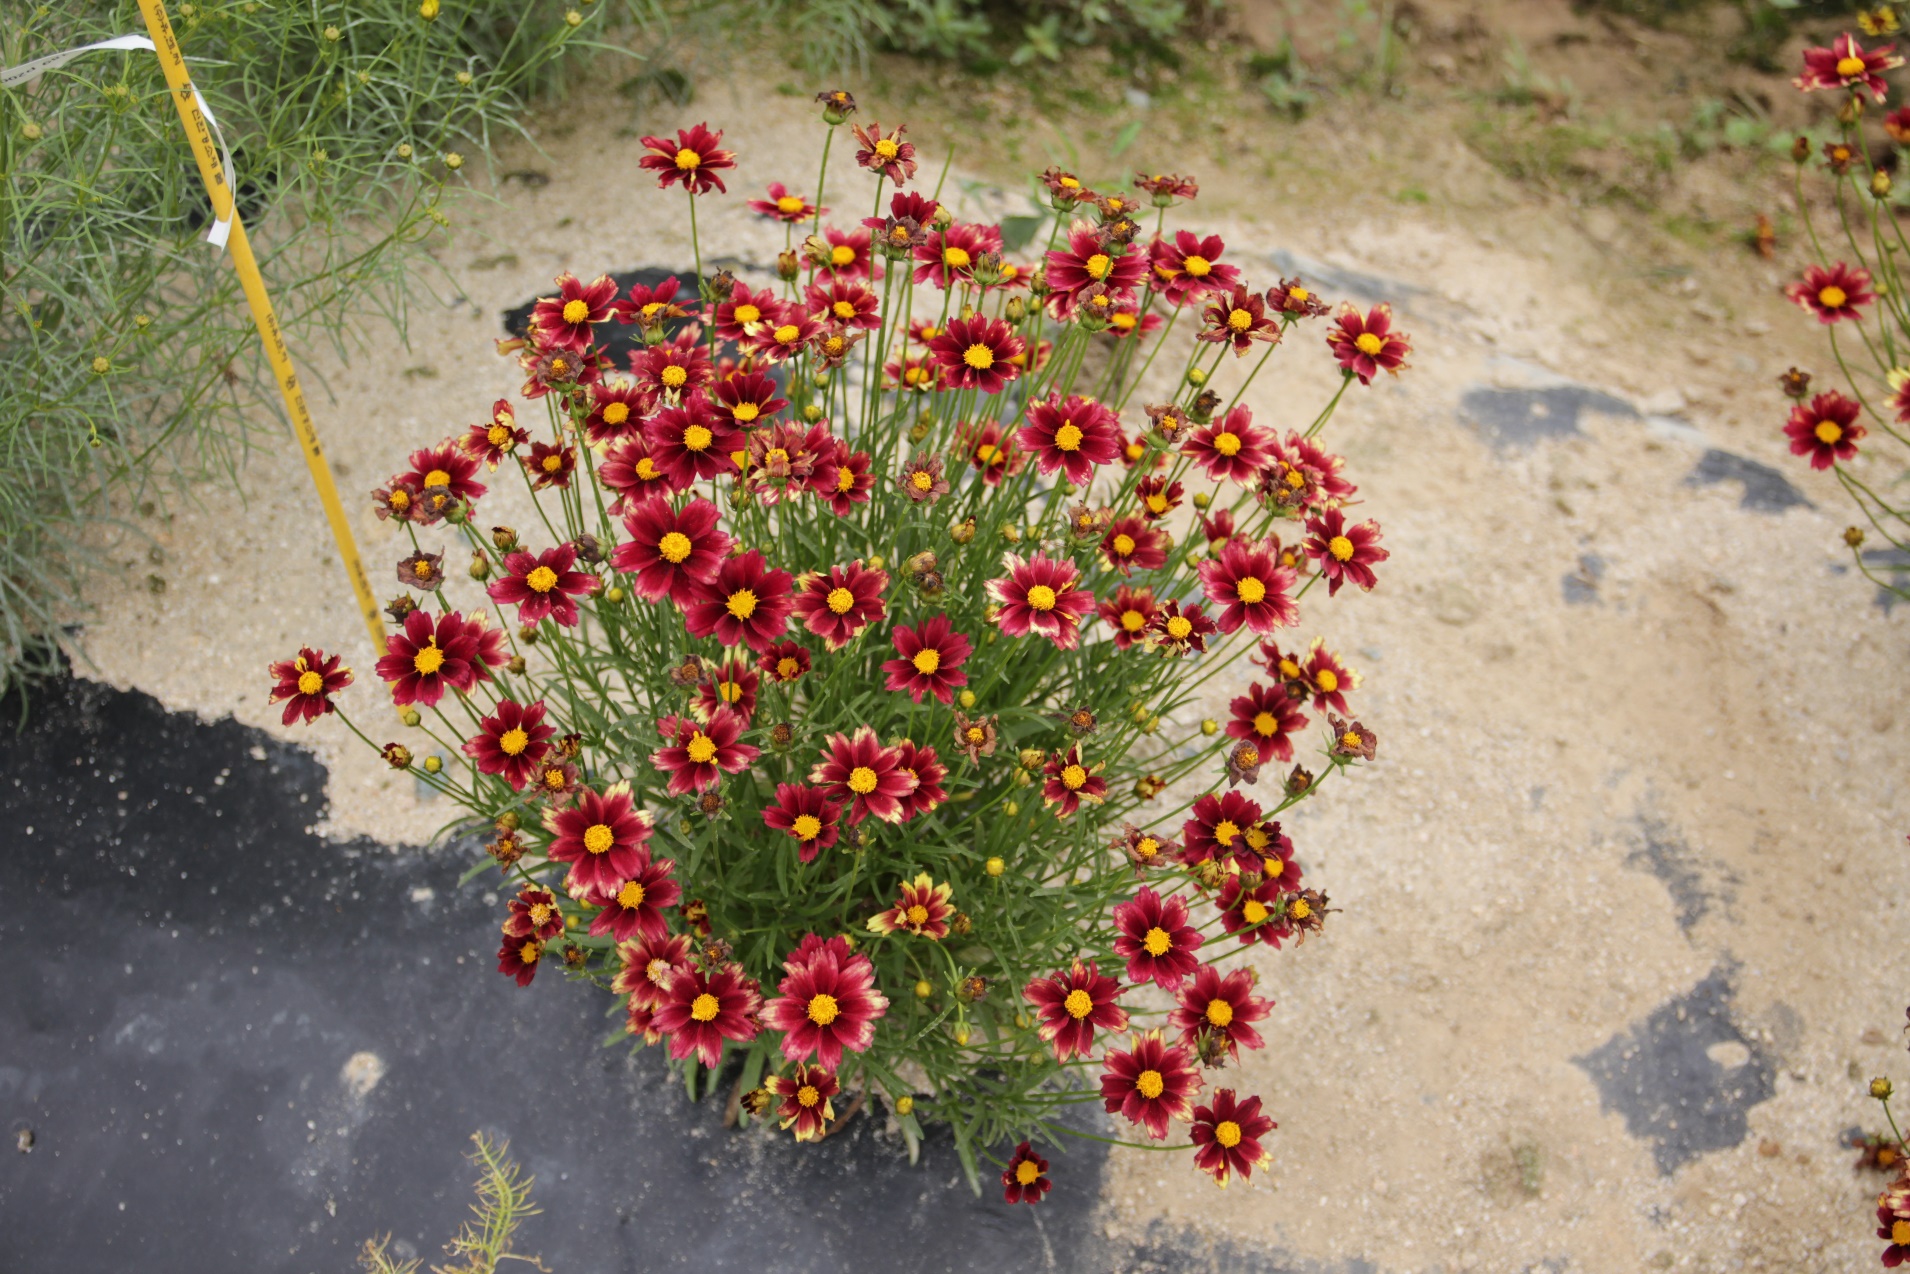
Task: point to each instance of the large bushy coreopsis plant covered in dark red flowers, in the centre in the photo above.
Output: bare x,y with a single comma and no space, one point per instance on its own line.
834,713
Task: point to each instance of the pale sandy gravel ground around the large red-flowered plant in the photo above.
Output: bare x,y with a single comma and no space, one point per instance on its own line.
1638,830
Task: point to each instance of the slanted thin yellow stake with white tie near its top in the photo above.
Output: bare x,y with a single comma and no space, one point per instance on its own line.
268,324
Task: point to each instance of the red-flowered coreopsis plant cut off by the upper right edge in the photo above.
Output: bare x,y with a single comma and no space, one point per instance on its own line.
1856,289
